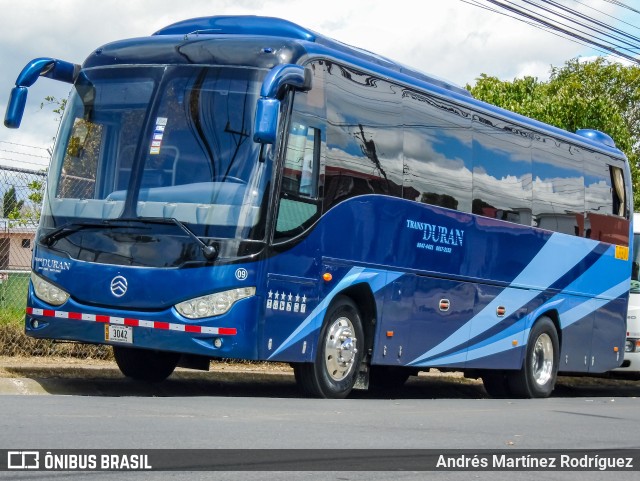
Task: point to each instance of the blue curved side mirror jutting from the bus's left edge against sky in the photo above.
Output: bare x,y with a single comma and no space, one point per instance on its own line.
39,67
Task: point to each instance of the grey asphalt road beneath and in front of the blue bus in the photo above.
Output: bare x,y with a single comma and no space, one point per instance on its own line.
95,408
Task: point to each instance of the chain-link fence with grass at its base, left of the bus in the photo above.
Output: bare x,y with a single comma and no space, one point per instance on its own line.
21,191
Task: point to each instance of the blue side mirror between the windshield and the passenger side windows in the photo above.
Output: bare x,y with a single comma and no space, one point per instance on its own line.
268,107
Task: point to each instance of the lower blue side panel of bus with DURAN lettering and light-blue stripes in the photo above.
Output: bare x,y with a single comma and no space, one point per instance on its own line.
527,271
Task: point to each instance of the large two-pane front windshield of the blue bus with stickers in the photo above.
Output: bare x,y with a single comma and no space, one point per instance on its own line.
165,142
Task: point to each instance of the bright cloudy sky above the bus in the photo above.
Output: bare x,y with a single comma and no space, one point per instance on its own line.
446,38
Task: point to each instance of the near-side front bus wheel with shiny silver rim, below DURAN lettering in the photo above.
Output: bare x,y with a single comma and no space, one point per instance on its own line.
339,353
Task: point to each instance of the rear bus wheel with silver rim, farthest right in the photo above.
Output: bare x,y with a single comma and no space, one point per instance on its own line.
537,378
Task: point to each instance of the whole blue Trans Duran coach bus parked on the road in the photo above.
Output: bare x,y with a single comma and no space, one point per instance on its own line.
245,188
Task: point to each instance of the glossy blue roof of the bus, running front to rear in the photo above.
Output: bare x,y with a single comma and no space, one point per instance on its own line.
264,42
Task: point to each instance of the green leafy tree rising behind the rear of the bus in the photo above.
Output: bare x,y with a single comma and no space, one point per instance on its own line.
597,95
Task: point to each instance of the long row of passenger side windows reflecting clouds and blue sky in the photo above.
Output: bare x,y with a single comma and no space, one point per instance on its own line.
388,139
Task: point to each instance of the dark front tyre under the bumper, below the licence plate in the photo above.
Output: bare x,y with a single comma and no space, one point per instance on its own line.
145,365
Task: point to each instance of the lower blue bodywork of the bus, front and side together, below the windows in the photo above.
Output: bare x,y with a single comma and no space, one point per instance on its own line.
410,256
